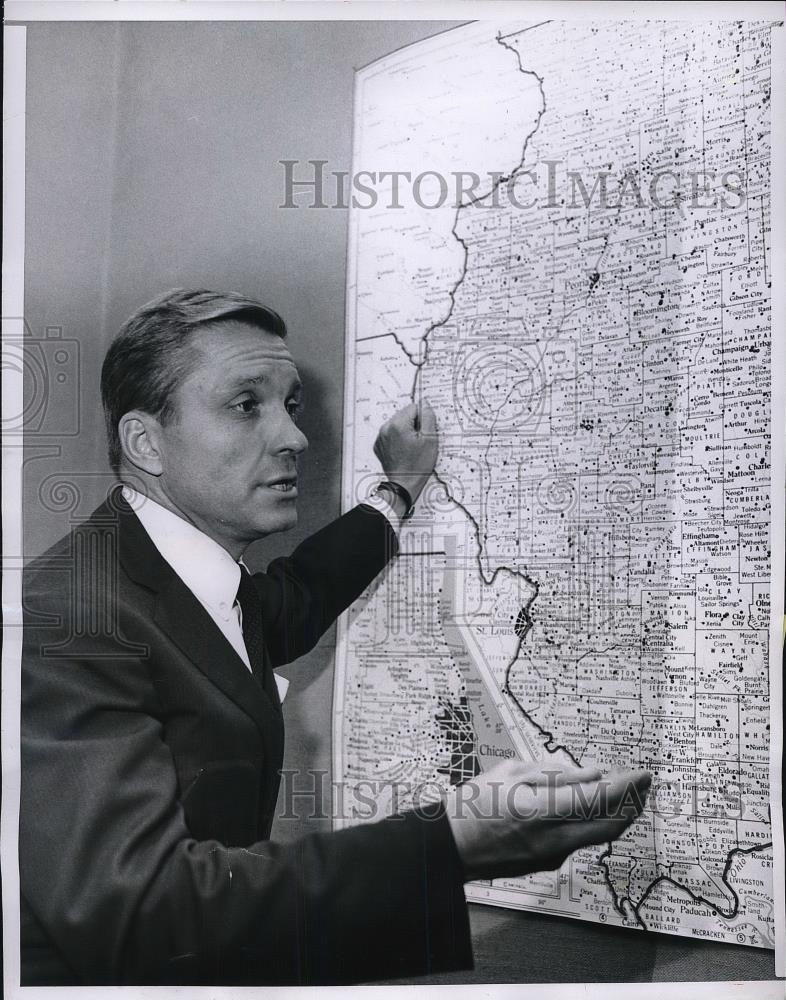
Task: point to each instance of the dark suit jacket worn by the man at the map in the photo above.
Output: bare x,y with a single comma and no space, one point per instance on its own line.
150,759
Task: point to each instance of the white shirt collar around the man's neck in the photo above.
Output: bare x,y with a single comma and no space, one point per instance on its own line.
207,569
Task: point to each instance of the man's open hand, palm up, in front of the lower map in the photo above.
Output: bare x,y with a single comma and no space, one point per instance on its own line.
516,818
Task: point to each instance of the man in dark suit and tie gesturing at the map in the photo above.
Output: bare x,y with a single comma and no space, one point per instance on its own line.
152,734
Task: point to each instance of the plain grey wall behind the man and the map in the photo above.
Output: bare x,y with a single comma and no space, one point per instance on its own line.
152,156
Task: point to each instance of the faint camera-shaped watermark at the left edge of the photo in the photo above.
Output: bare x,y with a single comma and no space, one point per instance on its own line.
49,370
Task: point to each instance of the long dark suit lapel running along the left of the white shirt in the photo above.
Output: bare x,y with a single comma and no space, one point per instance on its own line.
180,615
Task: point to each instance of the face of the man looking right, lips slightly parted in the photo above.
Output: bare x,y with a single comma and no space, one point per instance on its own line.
229,452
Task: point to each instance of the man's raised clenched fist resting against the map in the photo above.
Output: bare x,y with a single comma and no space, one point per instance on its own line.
407,447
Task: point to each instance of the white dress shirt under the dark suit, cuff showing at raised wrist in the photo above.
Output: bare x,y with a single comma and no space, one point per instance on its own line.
207,569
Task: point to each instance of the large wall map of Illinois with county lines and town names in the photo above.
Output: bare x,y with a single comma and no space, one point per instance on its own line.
588,578
